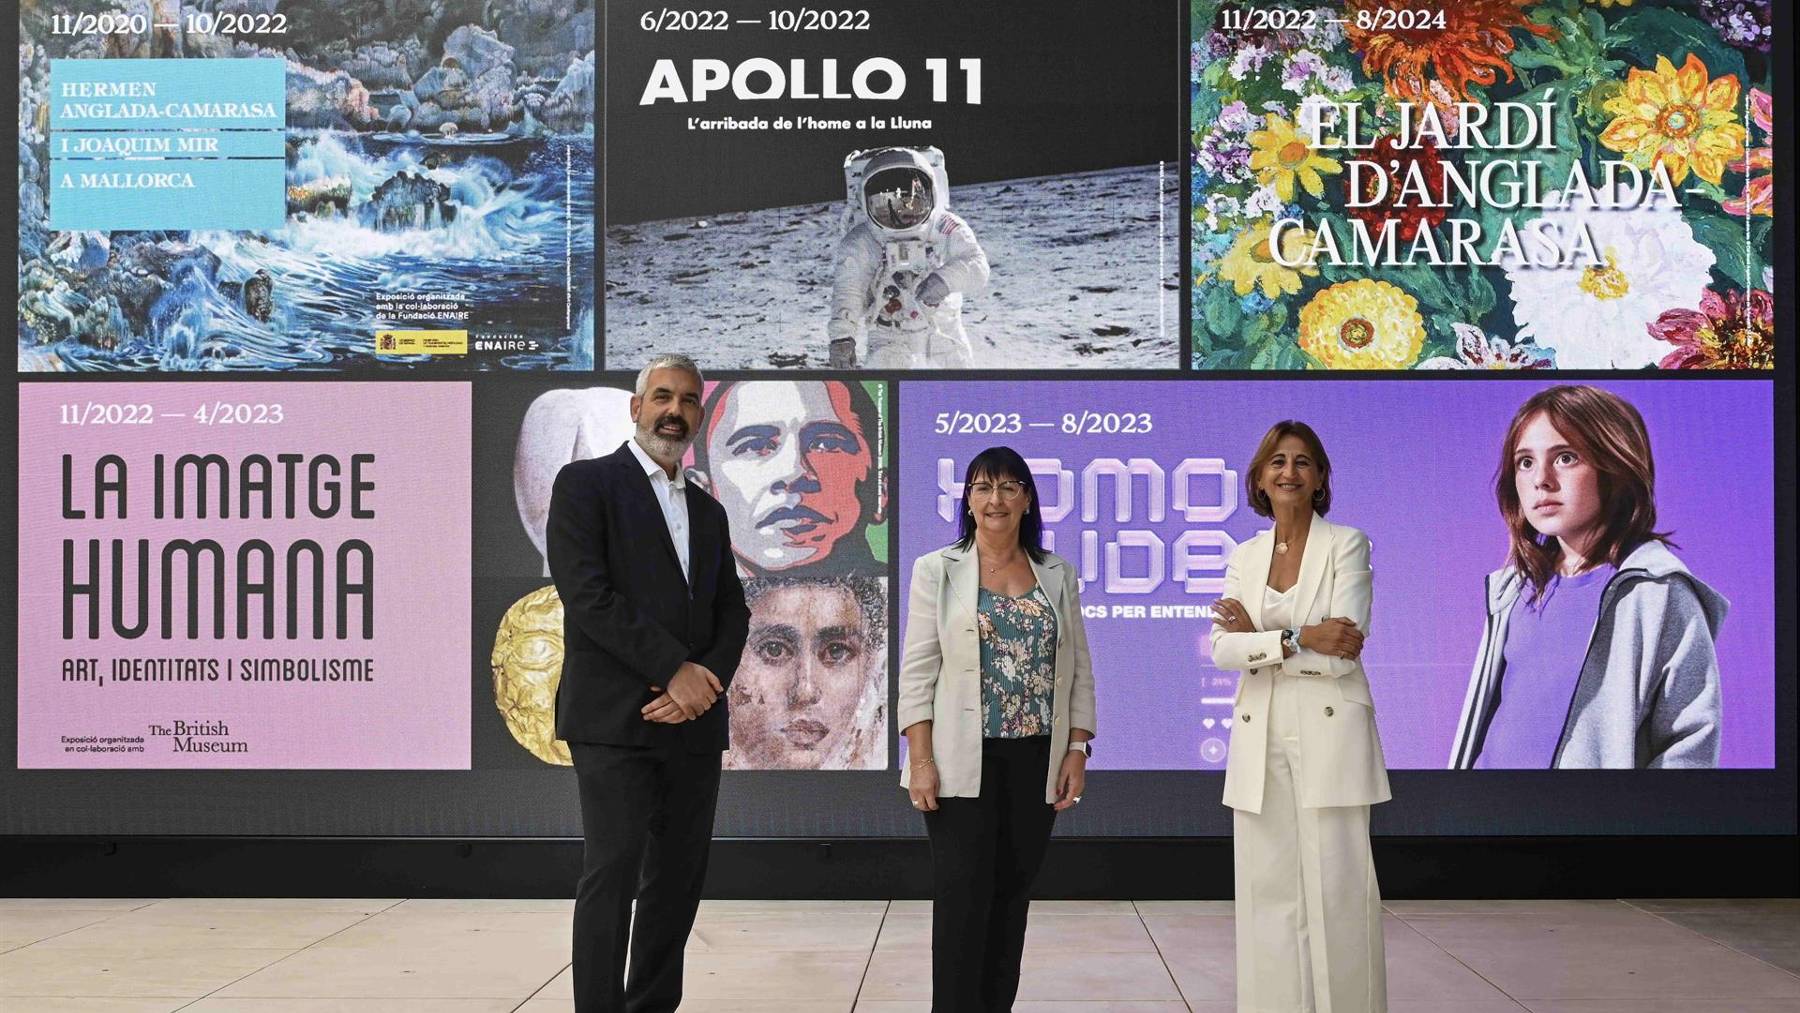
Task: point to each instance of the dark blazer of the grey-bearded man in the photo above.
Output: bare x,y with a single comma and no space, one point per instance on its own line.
629,616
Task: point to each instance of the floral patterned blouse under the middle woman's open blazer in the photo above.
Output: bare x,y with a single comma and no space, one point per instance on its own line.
1018,663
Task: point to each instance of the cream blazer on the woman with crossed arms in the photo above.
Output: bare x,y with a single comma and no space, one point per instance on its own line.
1342,762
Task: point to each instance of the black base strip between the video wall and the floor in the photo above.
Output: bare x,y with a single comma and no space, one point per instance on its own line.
1410,868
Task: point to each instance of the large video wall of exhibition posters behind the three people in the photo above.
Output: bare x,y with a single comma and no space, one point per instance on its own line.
318,298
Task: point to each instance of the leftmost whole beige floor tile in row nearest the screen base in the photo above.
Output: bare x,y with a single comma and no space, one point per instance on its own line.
163,928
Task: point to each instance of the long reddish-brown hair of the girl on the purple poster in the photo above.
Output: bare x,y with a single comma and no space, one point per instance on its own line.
1610,435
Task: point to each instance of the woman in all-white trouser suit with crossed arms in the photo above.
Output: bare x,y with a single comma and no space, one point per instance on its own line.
1306,762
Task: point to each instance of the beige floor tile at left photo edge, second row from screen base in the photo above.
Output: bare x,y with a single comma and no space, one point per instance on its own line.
125,974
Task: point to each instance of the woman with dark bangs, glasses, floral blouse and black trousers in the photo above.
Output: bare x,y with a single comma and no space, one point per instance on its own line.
998,706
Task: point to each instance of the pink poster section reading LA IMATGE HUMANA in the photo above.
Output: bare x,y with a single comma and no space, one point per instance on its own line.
244,577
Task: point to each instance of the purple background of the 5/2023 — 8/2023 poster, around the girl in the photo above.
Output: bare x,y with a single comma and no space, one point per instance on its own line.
1142,489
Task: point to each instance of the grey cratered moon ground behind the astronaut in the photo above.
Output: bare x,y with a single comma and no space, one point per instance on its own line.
1084,276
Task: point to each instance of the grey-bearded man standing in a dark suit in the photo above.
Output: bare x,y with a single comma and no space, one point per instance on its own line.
654,623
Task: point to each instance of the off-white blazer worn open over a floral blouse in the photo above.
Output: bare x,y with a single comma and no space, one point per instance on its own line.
940,667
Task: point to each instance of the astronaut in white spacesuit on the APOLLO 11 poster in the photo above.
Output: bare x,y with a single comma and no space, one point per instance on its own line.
904,265
